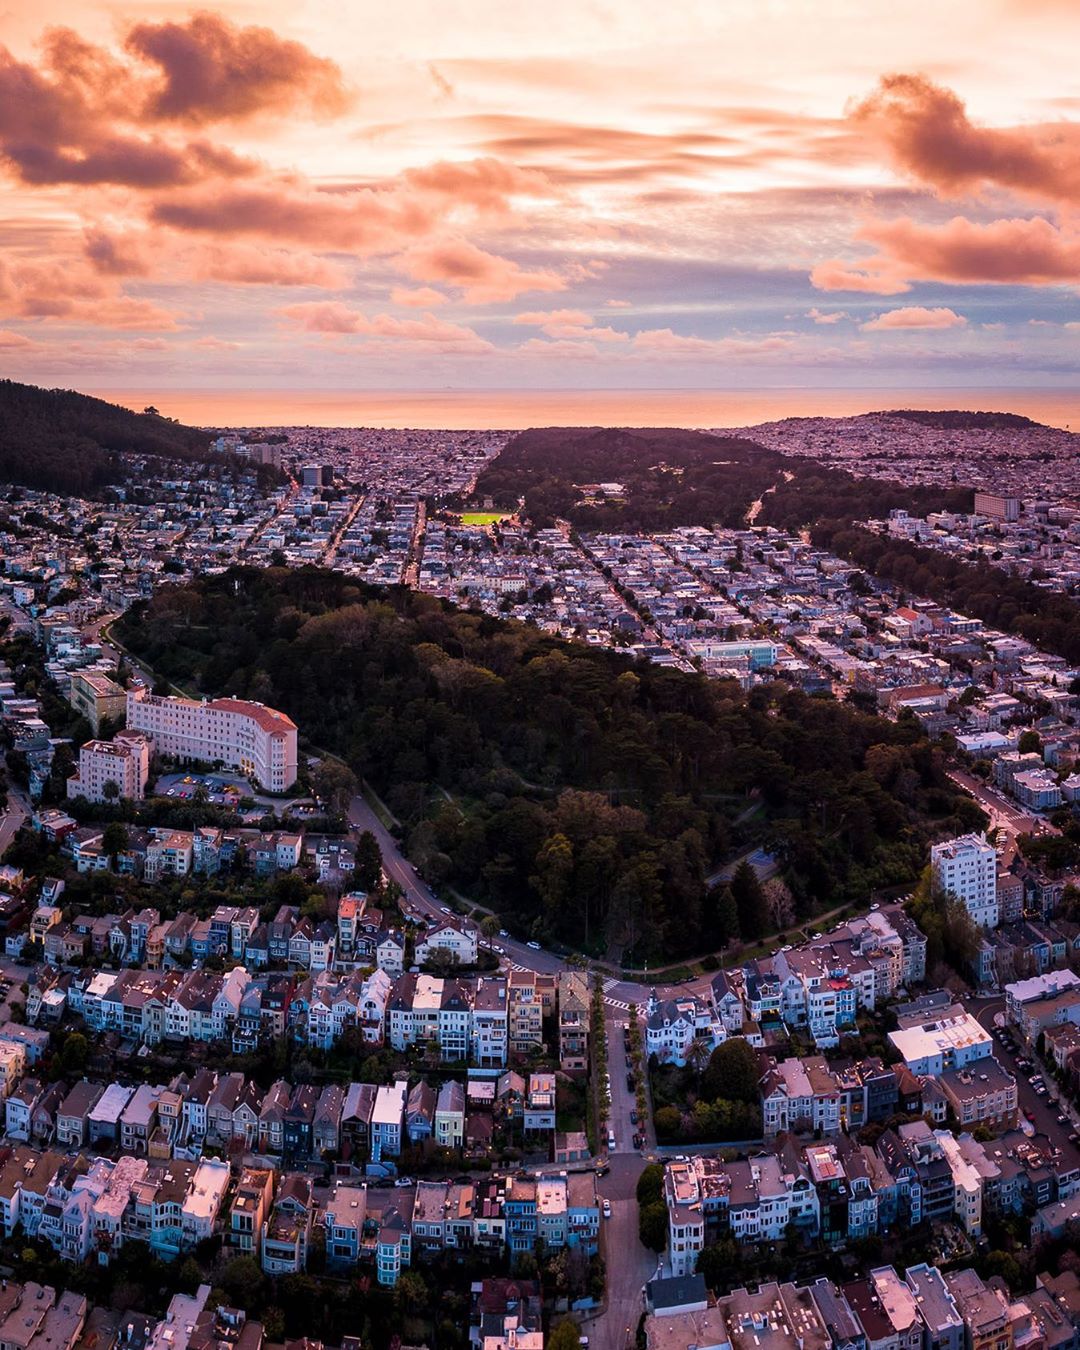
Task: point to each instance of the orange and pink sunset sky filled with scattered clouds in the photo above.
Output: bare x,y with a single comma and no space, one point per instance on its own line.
569,195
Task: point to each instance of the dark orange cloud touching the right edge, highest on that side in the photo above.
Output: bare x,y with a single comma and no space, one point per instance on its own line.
929,134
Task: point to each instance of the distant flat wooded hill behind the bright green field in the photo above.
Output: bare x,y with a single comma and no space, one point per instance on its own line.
670,477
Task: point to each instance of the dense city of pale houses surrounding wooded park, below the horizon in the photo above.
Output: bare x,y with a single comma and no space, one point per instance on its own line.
288,1055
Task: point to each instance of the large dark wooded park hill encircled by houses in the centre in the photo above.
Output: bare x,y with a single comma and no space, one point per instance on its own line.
572,789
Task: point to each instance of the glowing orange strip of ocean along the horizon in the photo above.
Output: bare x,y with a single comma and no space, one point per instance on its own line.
512,410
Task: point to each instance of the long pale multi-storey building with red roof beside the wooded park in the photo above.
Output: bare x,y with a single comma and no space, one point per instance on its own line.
250,738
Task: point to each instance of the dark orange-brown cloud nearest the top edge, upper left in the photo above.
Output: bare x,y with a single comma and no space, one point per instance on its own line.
214,71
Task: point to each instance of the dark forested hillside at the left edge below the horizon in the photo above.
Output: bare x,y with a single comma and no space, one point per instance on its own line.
60,441
